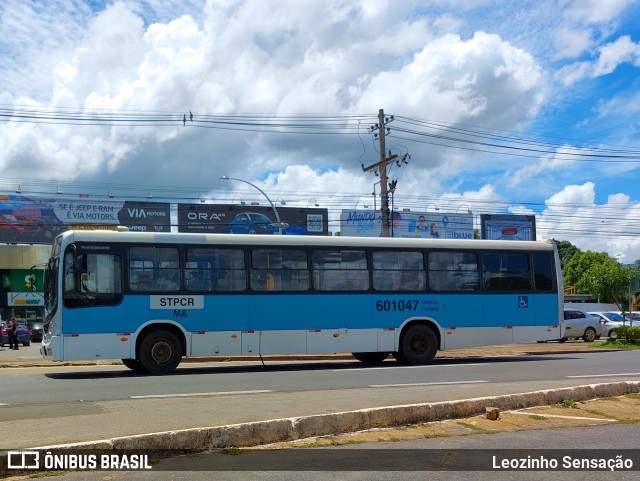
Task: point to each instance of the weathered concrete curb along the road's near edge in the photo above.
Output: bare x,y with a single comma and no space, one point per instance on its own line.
290,429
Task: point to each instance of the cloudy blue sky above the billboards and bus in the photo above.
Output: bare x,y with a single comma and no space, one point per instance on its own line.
520,106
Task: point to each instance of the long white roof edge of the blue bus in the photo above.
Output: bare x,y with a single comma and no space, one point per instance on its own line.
318,241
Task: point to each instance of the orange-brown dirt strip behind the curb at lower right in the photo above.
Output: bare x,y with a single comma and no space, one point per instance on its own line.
623,409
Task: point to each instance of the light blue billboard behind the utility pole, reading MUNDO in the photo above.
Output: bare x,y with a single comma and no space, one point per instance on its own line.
406,224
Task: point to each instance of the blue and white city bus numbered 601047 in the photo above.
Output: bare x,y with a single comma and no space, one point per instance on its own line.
152,298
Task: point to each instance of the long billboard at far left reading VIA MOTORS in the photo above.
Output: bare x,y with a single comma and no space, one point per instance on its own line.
38,221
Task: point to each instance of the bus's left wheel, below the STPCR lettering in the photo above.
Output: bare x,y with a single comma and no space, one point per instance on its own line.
160,352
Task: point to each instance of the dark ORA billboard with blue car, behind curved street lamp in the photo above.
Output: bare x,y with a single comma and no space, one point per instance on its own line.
251,219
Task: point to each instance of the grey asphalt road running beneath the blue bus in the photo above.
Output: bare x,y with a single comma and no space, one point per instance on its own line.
54,405
